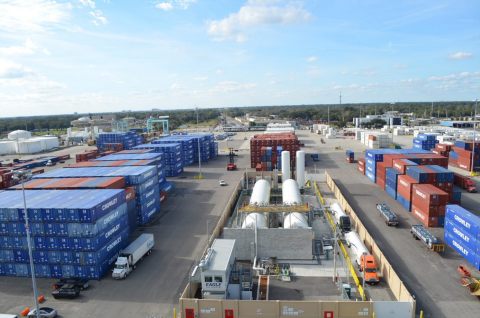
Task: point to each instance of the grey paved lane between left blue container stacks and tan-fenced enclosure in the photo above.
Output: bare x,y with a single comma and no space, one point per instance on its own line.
152,290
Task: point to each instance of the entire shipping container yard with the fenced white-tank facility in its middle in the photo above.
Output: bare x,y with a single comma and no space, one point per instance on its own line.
279,238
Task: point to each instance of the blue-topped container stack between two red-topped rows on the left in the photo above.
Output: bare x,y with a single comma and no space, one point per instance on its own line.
144,179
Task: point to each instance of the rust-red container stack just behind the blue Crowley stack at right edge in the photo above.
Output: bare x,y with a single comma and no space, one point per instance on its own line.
428,204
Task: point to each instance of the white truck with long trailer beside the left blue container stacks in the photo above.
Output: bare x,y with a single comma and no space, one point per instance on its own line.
129,257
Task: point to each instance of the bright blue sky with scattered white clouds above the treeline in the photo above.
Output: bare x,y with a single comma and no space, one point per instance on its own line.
61,57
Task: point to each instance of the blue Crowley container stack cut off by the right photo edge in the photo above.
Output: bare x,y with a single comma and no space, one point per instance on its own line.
462,233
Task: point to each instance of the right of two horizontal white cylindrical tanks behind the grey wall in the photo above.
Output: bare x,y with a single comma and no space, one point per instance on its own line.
291,196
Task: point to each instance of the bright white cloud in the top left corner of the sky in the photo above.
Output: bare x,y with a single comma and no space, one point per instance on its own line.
31,15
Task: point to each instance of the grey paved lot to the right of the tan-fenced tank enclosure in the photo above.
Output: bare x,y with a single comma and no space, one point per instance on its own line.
431,277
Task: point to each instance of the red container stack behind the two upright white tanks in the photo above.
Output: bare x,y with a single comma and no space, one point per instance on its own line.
287,141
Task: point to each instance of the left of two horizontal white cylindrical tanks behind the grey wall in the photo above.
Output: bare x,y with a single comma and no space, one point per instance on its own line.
260,196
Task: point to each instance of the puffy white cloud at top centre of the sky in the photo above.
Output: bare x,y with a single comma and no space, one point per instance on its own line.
253,14
